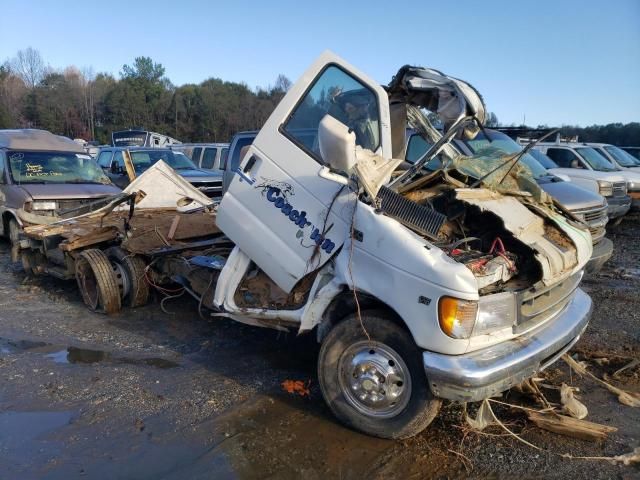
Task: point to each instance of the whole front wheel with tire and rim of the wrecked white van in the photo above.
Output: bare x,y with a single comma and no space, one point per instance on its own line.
377,386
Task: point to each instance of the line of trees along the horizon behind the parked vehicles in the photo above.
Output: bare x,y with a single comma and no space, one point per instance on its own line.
81,104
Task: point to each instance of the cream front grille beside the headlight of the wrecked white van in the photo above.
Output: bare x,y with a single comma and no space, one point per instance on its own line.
539,304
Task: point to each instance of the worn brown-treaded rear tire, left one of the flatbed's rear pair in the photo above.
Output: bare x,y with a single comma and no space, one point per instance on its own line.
97,282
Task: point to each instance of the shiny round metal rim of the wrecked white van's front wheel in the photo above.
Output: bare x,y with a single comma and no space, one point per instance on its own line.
374,379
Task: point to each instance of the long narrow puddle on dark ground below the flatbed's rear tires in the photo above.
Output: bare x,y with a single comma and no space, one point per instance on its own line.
75,355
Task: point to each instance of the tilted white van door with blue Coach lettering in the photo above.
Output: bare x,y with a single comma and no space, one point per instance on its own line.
284,208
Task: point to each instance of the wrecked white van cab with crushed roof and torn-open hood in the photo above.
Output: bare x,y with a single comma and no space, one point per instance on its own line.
422,284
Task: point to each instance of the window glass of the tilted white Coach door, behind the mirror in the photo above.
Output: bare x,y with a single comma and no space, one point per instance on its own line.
338,94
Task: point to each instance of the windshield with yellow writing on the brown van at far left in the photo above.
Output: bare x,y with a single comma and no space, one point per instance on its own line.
54,167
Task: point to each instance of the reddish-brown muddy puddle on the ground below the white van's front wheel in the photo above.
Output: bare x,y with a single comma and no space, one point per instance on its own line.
287,437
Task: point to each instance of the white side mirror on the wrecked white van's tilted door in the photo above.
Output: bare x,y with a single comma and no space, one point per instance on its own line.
337,144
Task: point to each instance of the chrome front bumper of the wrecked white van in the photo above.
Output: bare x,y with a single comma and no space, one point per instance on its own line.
481,374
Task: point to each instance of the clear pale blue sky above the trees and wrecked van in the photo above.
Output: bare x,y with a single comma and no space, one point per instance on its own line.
555,62
